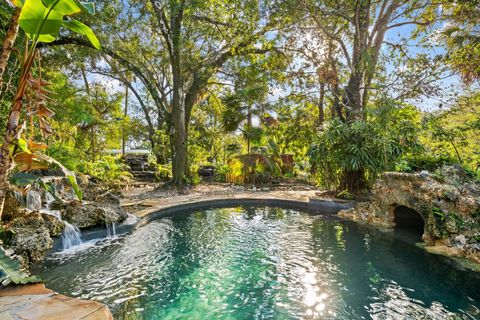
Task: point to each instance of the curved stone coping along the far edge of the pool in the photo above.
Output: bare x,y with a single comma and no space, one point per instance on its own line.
151,209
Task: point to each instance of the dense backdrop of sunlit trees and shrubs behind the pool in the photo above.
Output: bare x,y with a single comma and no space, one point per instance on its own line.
334,92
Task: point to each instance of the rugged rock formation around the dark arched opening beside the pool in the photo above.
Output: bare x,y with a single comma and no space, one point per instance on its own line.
448,202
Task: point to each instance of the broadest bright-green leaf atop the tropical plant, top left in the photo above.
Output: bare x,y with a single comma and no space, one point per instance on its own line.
38,22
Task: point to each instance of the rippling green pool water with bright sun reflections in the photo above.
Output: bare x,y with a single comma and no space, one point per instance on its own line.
264,263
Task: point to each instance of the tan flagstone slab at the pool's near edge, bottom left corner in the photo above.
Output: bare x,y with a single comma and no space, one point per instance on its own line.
35,302
